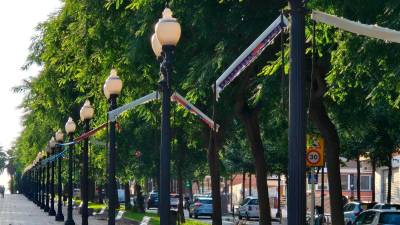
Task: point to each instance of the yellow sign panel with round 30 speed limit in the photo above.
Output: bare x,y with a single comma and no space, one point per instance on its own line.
315,151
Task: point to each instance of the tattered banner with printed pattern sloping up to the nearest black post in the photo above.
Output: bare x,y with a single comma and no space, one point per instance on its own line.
251,53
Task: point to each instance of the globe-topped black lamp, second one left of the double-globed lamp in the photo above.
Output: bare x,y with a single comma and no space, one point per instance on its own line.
86,115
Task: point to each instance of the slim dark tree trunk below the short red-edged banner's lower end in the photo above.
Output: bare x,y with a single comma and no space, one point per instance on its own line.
213,163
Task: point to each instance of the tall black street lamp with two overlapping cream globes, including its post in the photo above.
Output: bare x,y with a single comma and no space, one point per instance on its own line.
167,34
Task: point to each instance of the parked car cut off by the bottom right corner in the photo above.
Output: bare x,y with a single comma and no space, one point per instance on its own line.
378,217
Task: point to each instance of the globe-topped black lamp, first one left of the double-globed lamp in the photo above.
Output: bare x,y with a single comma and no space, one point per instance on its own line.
112,89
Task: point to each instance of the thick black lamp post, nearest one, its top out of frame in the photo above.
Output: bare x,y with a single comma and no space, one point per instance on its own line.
297,116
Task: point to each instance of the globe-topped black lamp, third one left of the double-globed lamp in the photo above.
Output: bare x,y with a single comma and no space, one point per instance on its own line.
70,128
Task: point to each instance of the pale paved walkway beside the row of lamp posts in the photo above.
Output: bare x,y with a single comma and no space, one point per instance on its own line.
18,210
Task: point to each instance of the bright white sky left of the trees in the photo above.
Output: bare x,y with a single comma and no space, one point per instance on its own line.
18,20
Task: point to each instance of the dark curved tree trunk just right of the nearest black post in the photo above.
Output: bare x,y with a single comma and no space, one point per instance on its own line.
328,131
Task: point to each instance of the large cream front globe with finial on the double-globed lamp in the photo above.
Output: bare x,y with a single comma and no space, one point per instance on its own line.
168,30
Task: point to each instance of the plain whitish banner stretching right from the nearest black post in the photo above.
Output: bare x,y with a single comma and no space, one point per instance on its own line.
373,31
